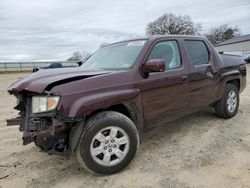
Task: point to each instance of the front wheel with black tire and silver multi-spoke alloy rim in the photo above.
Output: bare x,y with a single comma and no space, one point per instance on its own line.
108,143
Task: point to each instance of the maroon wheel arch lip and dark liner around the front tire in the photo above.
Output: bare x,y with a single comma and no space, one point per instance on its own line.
80,109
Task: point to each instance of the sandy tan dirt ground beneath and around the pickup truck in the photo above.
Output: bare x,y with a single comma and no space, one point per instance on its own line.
199,151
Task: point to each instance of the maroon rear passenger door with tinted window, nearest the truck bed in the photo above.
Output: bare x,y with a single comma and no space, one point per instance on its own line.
201,79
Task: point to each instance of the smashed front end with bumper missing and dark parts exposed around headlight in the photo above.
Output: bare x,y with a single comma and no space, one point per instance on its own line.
48,130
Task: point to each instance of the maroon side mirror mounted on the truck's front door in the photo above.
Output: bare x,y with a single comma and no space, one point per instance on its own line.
154,65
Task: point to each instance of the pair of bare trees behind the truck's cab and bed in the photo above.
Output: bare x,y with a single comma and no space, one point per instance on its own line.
169,23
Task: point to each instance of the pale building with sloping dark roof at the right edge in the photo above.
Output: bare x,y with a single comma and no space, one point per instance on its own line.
236,46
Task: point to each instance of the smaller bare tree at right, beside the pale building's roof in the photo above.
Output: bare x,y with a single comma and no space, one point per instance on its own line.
222,33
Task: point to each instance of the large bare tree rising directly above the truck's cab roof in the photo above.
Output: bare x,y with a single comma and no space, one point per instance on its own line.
172,24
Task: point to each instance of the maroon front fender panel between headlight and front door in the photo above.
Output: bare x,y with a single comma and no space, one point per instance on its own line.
82,97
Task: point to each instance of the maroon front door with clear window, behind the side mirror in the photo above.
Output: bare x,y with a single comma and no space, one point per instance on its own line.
165,94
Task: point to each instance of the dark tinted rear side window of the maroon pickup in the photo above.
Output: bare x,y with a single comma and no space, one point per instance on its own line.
197,51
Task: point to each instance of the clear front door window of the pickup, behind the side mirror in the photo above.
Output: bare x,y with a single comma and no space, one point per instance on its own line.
169,51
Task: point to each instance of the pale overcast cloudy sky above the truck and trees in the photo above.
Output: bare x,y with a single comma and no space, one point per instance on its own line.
54,29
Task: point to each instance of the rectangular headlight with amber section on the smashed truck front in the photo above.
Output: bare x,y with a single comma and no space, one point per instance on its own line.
44,103
